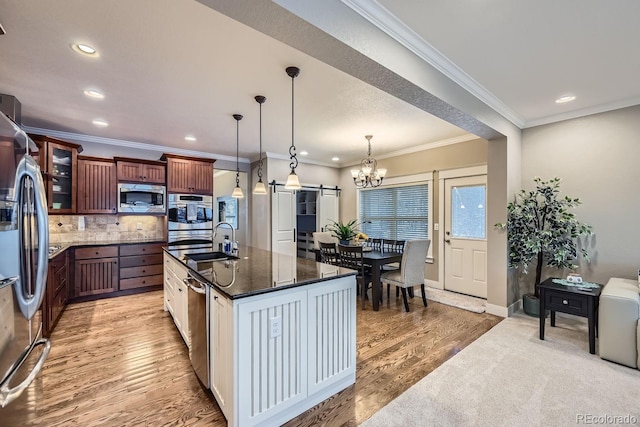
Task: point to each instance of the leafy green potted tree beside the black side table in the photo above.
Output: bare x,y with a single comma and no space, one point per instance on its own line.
541,228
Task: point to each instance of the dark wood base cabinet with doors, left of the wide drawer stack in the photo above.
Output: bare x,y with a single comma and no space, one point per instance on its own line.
96,270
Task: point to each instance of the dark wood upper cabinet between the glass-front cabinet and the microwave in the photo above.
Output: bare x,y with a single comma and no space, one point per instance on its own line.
97,186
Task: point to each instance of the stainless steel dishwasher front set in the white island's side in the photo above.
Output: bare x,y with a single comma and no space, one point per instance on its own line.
198,312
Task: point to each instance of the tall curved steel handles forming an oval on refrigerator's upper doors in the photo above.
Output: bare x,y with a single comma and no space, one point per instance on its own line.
28,168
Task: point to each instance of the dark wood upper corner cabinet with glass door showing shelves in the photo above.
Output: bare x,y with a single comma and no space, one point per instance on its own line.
59,164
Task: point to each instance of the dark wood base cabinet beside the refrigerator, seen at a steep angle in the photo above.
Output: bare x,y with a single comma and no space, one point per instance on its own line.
56,295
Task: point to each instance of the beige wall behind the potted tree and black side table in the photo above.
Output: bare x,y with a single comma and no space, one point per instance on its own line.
597,159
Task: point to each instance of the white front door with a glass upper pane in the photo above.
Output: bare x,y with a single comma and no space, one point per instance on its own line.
465,237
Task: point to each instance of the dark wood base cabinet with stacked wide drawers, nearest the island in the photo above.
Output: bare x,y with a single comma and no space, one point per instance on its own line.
140,265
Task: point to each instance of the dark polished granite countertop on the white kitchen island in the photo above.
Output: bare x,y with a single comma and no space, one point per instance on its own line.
257,271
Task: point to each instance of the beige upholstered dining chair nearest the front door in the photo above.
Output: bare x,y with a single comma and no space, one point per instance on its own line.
411,272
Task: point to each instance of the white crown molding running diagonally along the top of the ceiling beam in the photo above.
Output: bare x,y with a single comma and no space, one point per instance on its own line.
379,16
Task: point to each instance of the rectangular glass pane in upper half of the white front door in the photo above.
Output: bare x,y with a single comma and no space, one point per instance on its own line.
468,212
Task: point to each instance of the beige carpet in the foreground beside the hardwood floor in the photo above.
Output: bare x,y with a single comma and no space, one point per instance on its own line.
508,377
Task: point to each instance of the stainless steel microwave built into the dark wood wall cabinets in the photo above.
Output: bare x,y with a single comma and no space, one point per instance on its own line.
141,198
